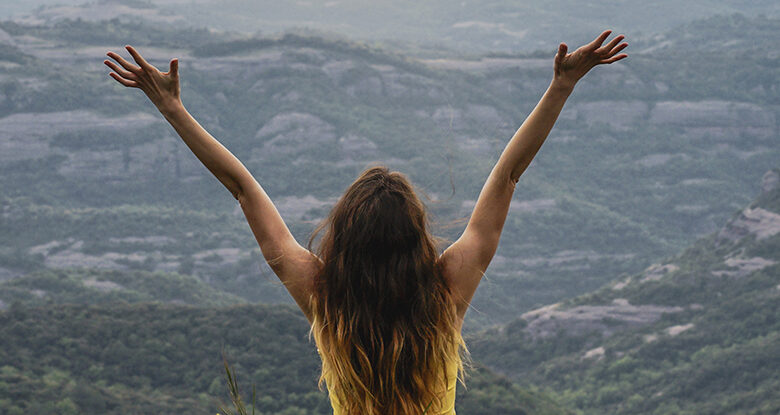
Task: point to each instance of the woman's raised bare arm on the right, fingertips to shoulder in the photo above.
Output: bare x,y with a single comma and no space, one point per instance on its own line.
467,258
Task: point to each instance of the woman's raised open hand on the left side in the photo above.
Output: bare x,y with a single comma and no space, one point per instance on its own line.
162,88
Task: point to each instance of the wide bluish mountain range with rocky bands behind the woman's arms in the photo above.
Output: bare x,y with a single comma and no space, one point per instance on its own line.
647,156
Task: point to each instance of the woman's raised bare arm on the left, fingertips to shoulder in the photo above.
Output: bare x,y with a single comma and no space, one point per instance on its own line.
290,261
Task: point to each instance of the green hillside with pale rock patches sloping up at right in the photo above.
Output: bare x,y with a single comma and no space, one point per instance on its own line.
696,333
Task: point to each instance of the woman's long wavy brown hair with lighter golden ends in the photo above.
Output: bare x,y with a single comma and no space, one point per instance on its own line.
384,318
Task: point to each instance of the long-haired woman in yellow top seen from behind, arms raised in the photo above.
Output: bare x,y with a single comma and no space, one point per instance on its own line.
386,310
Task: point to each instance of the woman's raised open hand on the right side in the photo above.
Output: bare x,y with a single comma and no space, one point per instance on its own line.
569,68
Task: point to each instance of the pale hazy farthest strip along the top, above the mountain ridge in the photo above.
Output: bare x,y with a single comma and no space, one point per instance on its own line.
465,25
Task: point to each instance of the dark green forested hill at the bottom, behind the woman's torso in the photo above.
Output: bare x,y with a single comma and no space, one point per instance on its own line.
154,358
